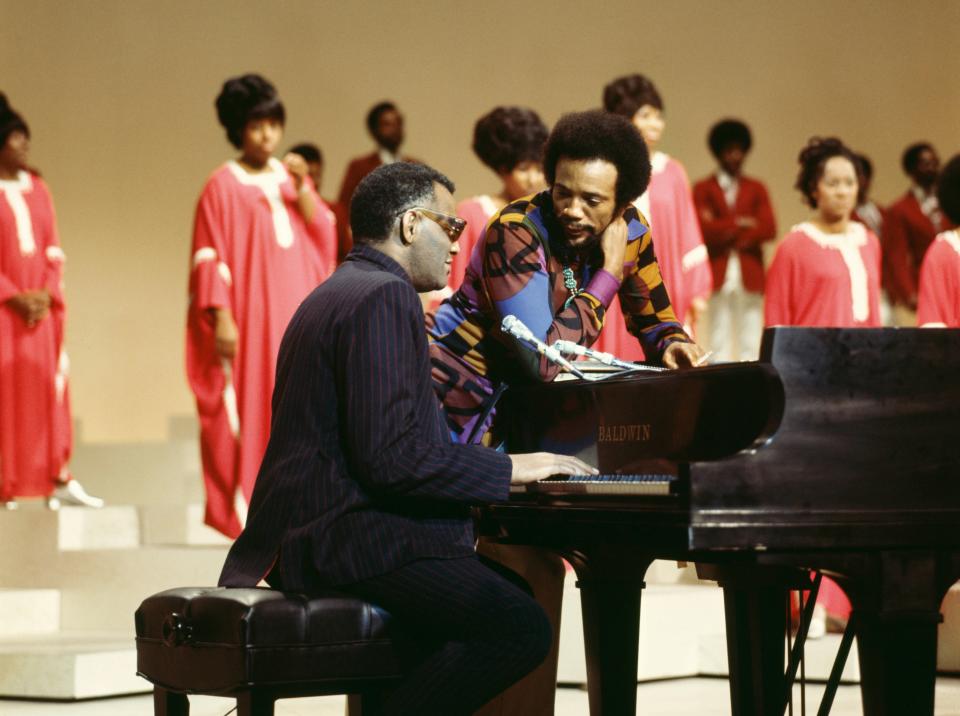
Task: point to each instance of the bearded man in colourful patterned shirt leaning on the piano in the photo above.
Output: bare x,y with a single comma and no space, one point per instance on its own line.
555,260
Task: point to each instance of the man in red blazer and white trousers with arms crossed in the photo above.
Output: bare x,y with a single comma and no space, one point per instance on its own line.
736,219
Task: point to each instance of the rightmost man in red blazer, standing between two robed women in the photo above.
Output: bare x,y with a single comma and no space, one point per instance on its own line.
909,228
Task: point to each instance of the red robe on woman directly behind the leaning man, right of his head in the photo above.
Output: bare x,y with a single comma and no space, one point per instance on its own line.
680,251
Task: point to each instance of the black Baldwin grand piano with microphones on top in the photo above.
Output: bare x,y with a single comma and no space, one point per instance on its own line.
838,451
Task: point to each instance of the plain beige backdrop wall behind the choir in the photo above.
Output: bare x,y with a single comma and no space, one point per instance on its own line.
119,96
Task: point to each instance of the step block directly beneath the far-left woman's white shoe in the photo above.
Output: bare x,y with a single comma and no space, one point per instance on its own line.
41,533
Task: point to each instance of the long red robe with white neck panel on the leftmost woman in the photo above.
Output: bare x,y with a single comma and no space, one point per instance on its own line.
35,429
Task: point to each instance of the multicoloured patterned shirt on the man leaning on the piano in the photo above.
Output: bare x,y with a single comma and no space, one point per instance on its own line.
518,268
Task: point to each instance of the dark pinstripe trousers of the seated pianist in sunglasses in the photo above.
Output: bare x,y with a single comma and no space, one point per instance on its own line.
479,629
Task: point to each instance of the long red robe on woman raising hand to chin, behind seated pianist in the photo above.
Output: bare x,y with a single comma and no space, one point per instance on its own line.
254,254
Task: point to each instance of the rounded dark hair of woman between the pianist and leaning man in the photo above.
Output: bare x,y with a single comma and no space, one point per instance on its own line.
507,136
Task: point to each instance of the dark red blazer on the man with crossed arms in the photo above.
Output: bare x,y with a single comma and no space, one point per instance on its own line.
721,234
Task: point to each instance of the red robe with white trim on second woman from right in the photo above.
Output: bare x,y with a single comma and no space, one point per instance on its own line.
826,280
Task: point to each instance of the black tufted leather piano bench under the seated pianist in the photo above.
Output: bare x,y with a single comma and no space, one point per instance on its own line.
259,645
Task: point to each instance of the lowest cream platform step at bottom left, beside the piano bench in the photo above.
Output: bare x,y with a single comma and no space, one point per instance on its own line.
78,665
